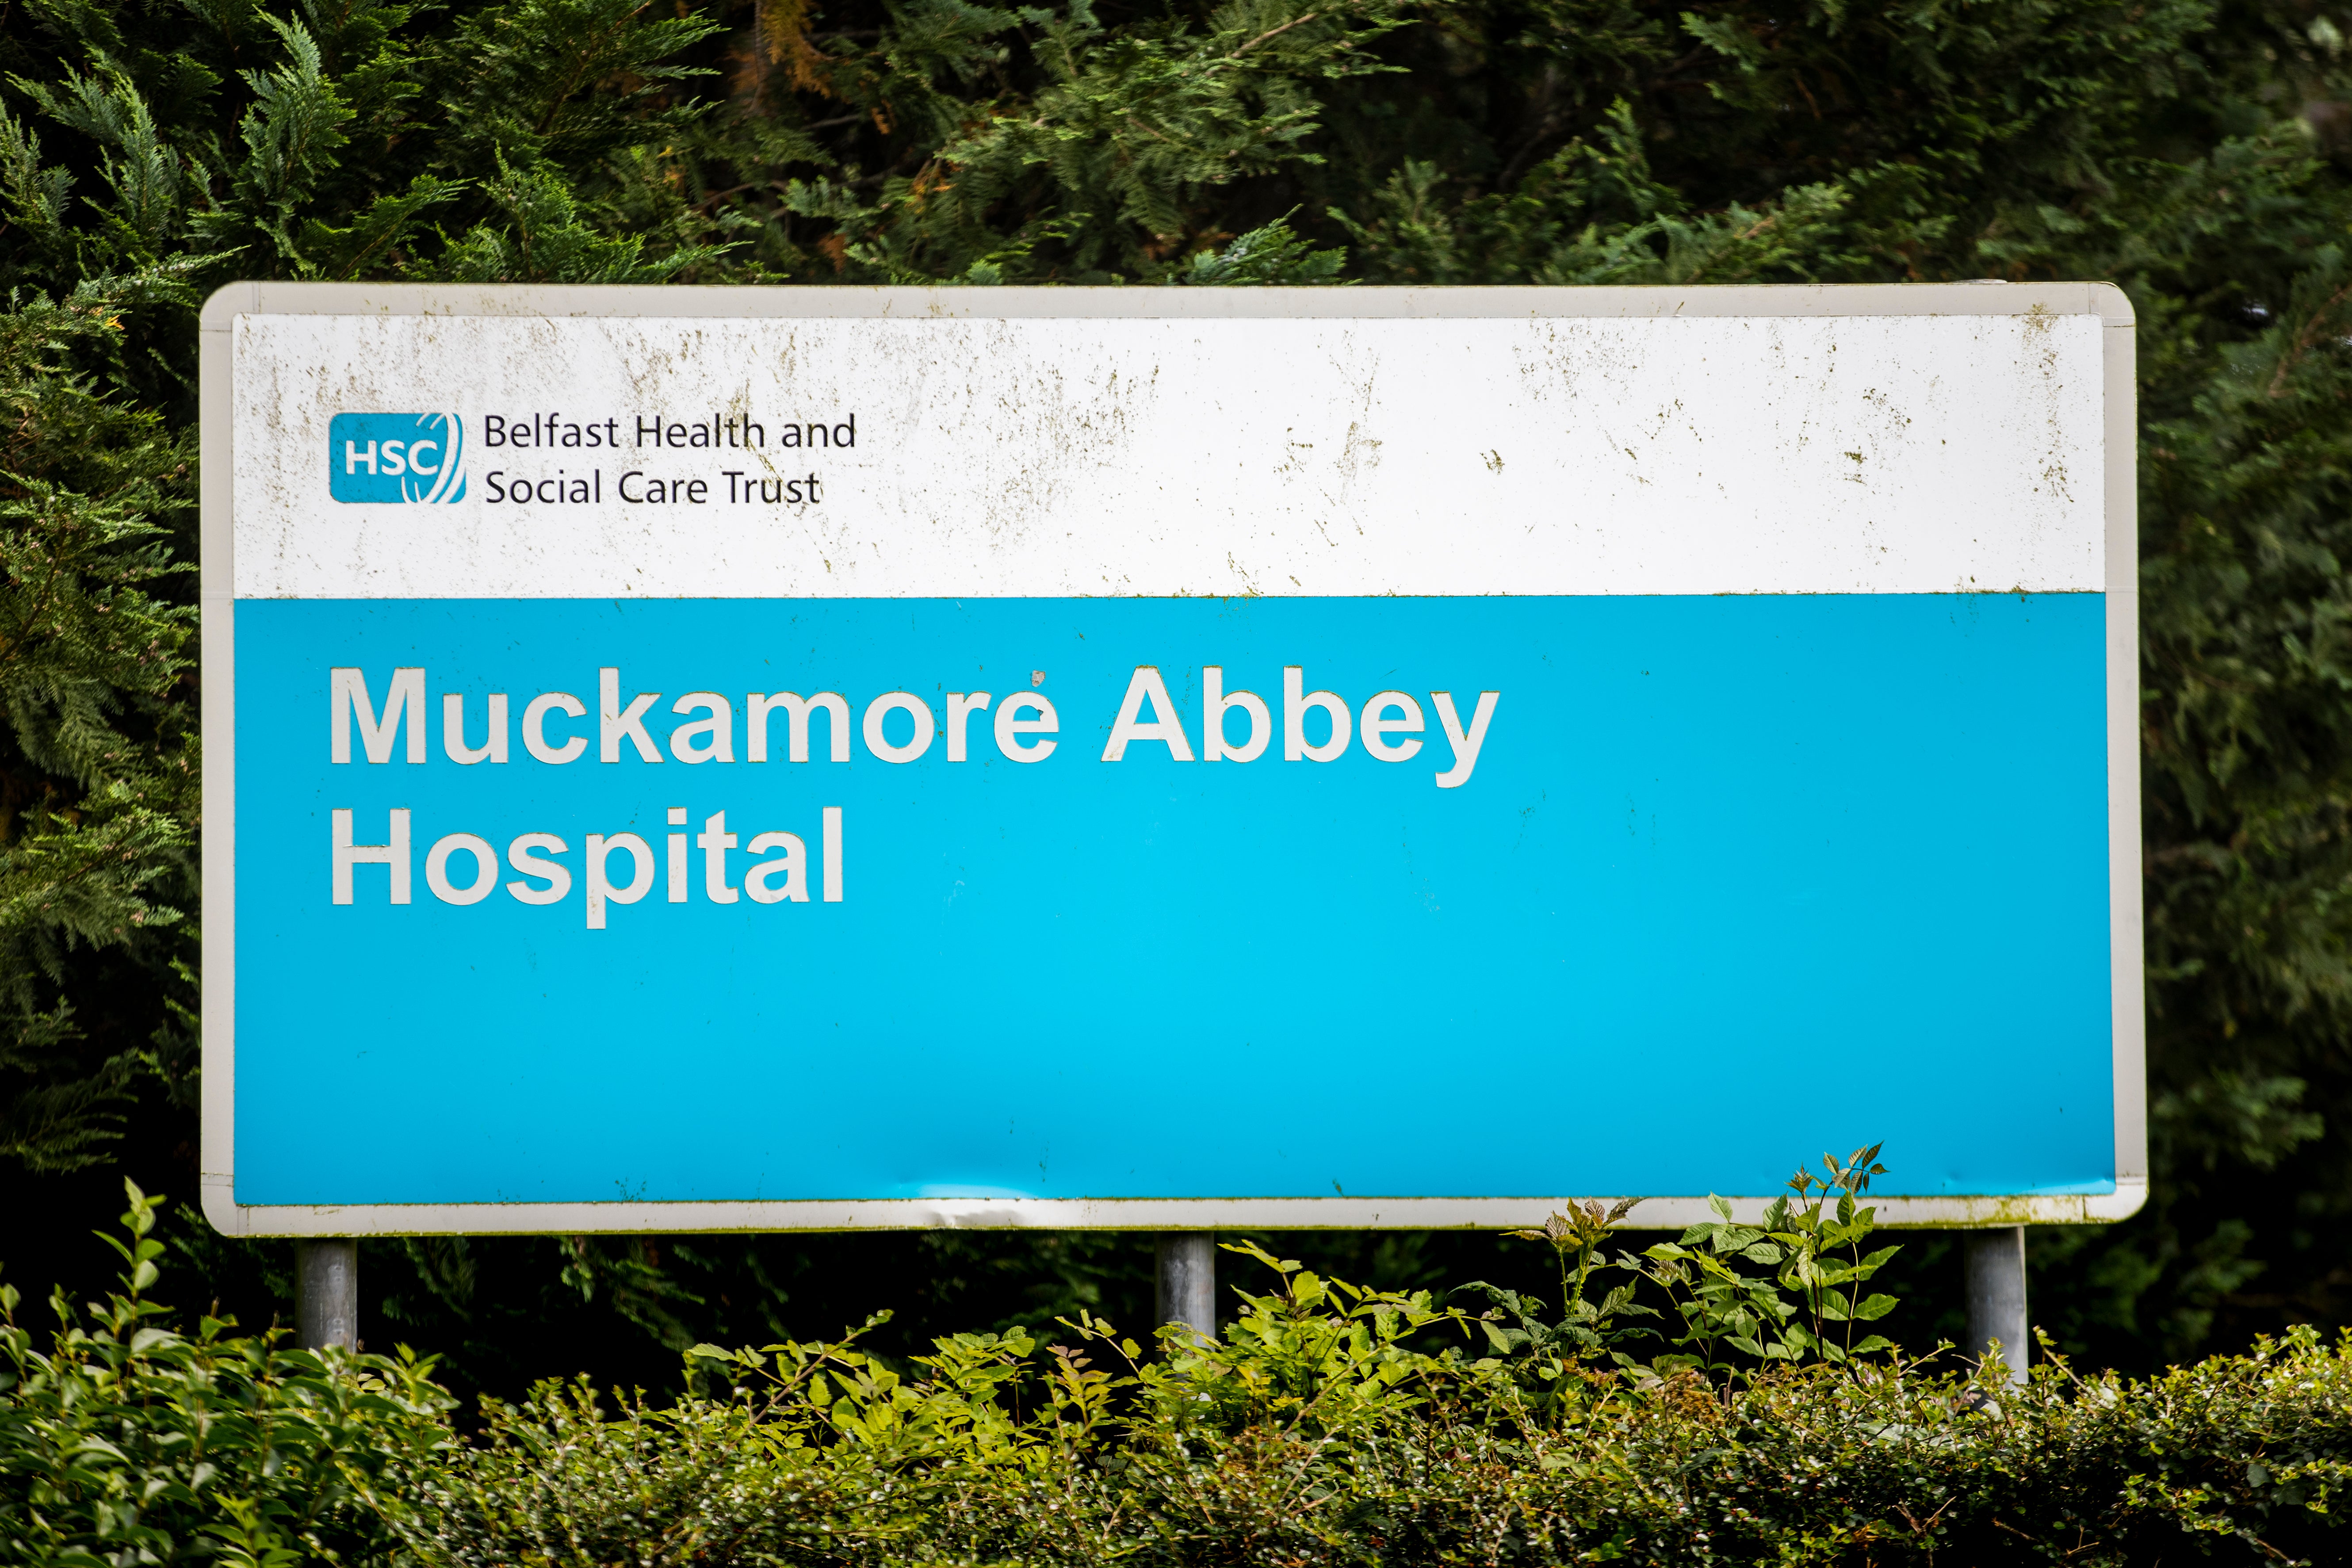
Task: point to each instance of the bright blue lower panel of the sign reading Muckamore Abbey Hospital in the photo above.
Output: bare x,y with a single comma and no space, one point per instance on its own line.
1067,977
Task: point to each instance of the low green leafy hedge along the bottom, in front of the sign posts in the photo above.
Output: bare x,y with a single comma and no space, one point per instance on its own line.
1330,1426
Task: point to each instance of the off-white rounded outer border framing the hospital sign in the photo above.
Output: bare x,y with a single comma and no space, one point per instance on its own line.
220,833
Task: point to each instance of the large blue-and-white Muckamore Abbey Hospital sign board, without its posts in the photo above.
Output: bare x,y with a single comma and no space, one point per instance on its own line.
1154,758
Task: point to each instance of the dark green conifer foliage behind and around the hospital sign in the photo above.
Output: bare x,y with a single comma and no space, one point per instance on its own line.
2196,152
